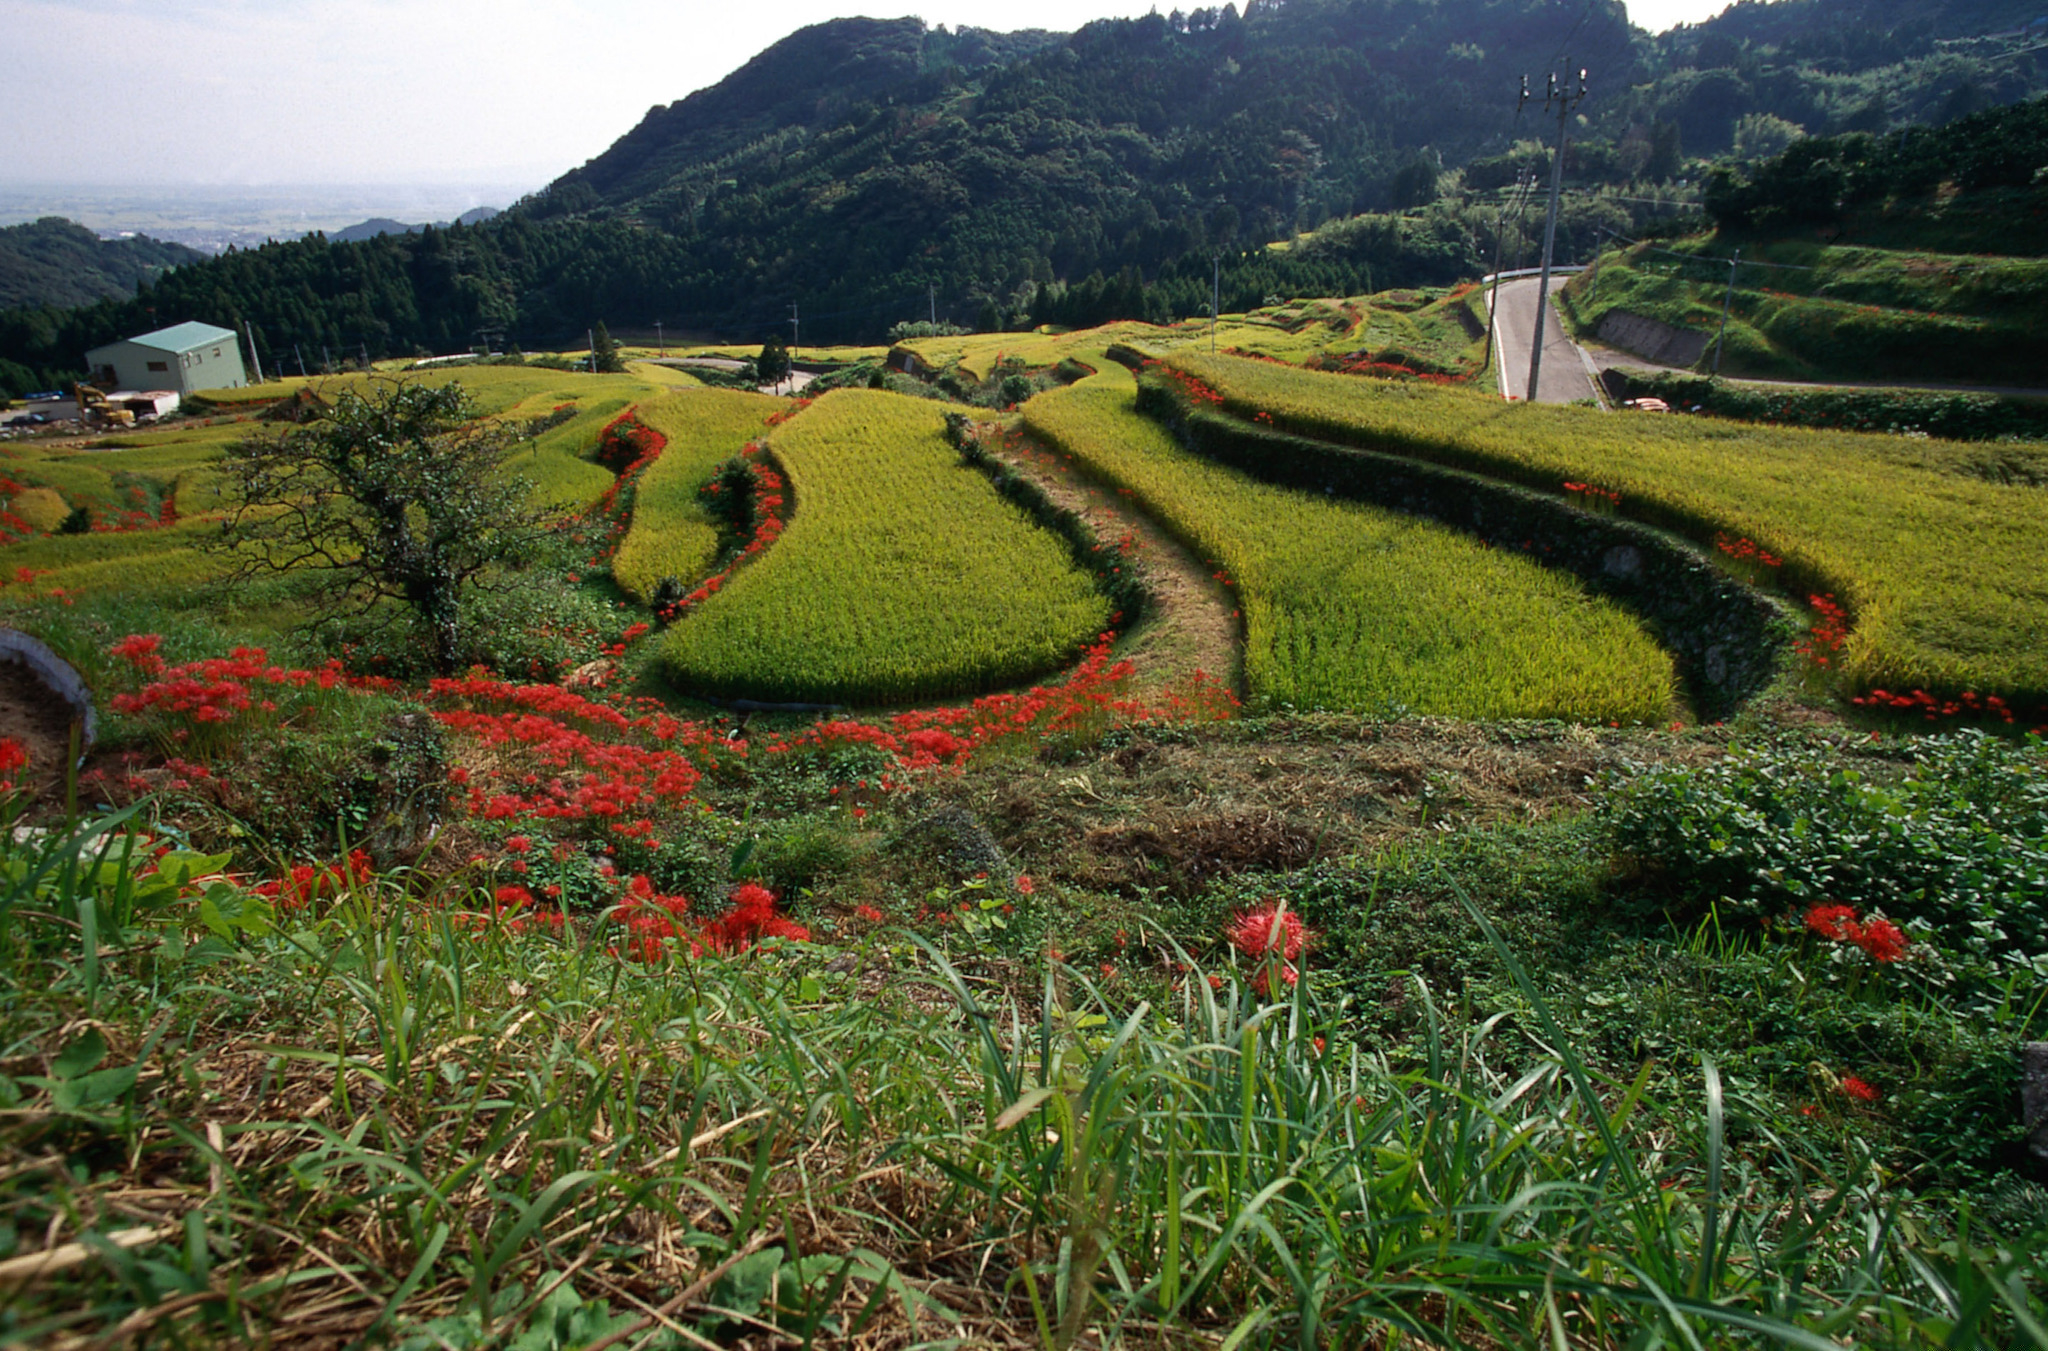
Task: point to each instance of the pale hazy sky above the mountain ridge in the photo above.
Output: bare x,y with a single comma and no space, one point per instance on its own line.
404,91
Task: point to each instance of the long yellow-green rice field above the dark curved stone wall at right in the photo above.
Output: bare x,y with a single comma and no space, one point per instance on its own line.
1938,576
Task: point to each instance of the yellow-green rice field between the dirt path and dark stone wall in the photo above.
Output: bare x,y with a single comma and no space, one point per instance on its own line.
1351,607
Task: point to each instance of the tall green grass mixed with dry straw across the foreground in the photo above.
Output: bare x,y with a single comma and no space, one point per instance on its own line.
376,1119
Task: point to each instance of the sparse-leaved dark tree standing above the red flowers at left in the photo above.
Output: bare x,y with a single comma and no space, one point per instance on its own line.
400,496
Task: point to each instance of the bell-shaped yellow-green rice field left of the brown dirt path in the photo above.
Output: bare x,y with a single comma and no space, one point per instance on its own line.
902,574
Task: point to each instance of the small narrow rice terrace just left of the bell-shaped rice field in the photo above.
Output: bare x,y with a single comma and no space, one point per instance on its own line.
673,535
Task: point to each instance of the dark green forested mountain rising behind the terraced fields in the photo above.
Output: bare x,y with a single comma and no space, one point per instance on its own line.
869,171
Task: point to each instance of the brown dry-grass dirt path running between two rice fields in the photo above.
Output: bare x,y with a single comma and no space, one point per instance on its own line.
1193,625
